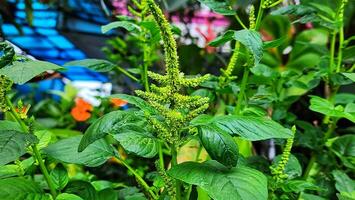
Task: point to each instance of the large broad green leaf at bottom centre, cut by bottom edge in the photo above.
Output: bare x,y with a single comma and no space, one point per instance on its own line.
221,183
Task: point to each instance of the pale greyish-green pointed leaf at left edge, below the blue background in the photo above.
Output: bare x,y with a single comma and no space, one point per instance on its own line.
21,72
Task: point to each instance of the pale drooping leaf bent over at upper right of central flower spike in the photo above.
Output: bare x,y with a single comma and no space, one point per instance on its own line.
249,38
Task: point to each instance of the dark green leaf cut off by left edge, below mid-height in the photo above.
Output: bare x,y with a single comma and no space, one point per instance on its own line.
13,144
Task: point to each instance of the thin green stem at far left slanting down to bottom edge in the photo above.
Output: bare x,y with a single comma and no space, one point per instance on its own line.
37,155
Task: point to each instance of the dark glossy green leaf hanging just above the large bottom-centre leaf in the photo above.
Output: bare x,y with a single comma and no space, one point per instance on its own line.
219,145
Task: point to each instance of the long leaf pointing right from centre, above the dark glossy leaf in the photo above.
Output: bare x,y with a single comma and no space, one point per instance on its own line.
248,127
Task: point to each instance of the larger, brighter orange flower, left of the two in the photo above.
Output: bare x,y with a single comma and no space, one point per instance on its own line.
81,110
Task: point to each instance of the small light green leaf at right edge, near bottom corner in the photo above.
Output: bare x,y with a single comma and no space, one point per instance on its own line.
343,183
